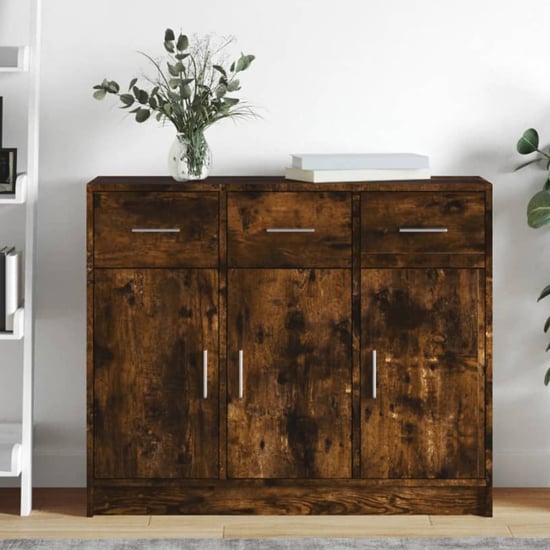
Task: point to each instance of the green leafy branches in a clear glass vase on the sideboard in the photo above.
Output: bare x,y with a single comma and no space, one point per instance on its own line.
191,91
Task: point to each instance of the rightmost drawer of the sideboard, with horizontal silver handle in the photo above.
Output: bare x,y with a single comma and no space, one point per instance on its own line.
433,226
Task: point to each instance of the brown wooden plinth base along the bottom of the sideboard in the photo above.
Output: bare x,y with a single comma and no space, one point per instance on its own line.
251,497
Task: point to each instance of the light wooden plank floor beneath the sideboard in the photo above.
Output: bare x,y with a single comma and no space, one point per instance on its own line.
60,513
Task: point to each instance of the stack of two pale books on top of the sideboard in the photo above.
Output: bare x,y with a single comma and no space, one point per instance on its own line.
323,168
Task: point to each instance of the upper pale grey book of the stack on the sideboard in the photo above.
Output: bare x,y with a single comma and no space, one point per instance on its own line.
373,161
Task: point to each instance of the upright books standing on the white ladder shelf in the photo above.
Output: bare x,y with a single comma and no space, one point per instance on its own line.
10,287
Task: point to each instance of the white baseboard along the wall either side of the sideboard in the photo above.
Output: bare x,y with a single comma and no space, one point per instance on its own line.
67,468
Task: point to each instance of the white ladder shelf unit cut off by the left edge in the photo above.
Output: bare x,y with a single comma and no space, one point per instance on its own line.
16,439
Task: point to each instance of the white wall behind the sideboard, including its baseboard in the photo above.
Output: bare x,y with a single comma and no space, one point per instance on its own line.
458,81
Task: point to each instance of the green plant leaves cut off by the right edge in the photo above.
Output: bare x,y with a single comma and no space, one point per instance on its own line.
538,207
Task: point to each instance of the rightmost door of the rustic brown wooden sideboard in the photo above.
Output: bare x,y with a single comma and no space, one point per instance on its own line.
426,418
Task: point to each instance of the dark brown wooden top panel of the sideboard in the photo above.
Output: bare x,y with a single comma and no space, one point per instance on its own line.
279,183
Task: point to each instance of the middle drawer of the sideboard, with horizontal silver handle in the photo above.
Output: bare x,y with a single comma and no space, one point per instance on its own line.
286,229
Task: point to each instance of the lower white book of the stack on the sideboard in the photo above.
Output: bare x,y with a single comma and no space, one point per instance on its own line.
325,176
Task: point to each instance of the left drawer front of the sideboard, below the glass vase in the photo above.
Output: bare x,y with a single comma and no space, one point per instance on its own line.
155,229
